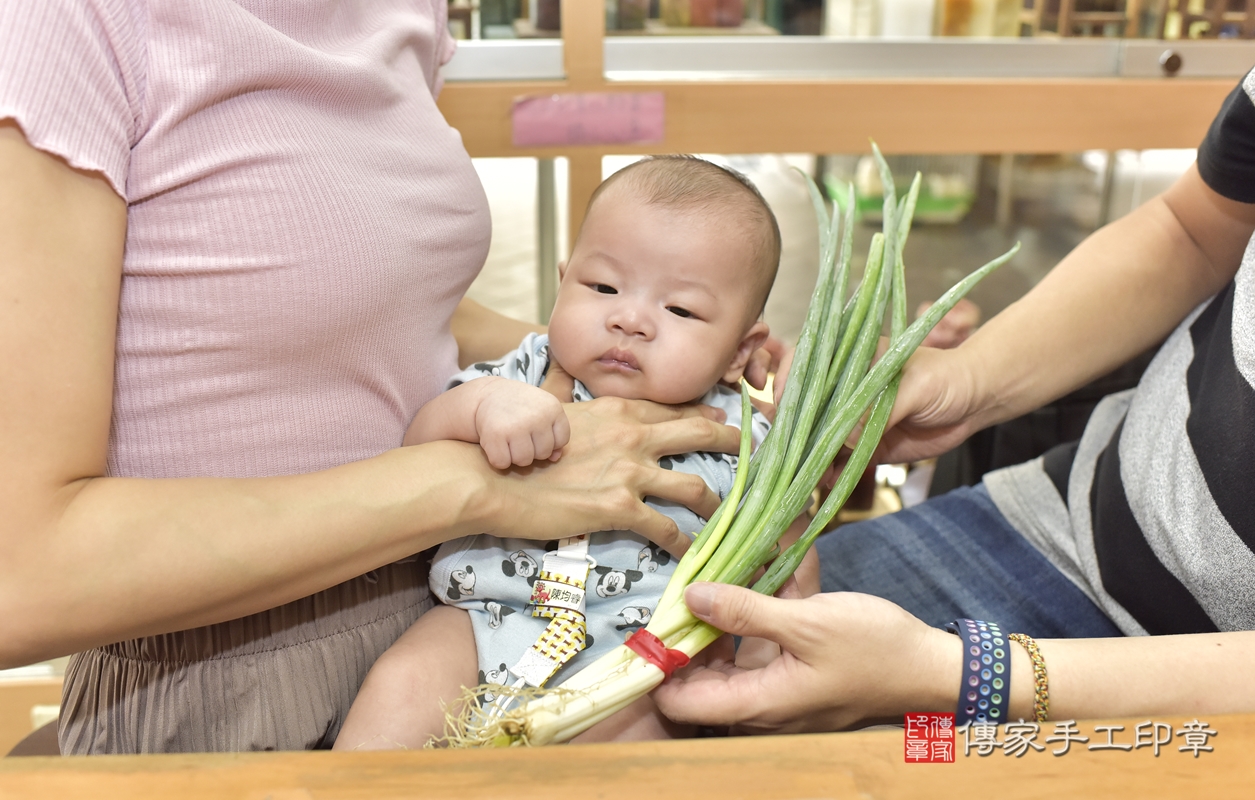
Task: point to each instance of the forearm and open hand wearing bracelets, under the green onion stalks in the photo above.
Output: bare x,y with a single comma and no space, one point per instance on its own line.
852,660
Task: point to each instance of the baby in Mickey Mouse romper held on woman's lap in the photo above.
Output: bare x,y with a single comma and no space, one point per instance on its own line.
661,301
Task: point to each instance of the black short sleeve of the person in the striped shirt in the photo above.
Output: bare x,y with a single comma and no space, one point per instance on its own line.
1227,158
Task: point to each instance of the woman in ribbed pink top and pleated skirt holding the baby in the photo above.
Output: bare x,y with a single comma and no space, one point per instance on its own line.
237,241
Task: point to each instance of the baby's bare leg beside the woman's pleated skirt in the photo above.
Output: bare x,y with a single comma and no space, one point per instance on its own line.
400,703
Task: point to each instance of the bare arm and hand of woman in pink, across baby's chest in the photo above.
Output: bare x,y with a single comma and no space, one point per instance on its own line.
87,559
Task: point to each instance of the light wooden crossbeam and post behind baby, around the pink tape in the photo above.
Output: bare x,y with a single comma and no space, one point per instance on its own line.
905,116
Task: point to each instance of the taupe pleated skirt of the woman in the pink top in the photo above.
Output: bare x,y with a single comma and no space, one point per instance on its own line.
282,680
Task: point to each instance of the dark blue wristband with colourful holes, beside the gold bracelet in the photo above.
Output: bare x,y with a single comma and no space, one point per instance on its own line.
985,694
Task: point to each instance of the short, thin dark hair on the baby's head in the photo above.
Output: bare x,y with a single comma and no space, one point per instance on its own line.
691,184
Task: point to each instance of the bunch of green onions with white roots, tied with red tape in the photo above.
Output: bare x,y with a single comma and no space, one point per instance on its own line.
831,386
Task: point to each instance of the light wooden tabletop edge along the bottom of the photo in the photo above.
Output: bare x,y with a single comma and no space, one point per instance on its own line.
858,765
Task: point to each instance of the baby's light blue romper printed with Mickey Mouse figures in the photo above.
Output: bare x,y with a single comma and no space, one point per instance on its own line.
627,576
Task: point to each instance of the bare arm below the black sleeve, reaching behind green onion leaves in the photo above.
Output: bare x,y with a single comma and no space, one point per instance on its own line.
1123,291
